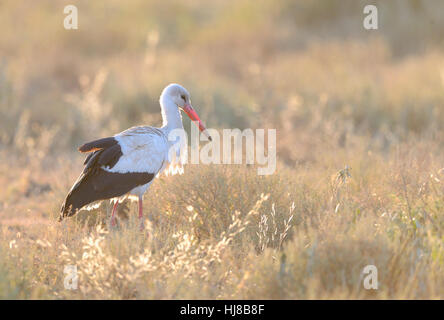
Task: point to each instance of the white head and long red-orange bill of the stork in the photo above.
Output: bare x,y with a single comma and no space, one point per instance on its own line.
181,98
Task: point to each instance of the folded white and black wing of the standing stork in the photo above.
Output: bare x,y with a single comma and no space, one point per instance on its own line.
115,166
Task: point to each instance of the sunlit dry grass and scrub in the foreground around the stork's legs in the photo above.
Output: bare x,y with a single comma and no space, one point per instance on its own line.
308,236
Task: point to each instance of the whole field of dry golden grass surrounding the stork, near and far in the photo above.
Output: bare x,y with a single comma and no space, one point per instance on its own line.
360,148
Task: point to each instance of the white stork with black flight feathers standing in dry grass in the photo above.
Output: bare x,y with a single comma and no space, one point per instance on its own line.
124,166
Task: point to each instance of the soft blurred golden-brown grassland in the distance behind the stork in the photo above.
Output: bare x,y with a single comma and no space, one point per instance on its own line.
307,68
